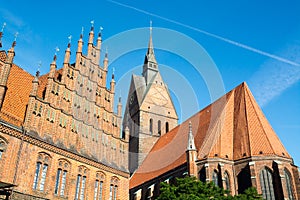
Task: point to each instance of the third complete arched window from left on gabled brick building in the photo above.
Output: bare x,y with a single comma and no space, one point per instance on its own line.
81,183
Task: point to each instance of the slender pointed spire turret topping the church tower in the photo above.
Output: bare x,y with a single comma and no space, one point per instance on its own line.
150,67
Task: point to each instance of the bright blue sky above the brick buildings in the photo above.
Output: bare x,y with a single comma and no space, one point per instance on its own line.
253,41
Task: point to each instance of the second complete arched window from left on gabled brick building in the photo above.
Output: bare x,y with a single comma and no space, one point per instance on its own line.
61,177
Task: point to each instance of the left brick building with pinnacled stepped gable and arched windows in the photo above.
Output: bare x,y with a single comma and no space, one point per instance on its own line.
64,140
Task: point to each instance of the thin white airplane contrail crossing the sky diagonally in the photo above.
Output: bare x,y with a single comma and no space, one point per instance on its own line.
209,34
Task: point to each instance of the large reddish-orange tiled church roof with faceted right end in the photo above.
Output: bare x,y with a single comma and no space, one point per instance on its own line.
233,128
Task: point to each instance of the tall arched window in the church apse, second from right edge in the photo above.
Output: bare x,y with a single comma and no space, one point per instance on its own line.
266,183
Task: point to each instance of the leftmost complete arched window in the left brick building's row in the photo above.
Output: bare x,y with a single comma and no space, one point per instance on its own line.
41,172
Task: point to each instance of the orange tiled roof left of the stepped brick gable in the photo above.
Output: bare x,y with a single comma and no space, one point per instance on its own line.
19,86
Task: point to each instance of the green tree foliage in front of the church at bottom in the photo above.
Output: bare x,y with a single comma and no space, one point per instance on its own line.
190,188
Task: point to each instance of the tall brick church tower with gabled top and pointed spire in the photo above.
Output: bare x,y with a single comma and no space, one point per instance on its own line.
149,112
